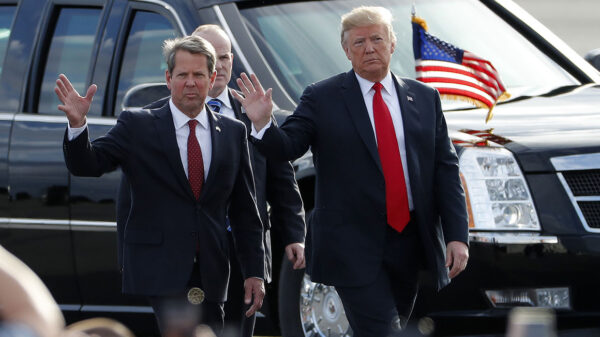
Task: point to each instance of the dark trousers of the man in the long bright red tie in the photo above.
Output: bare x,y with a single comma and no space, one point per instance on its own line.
383,307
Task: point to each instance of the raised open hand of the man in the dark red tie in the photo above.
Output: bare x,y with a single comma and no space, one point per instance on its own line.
73,105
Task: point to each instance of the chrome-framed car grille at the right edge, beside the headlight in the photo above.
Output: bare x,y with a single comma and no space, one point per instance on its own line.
580,176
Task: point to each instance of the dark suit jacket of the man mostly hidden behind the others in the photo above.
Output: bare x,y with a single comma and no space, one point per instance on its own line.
275,184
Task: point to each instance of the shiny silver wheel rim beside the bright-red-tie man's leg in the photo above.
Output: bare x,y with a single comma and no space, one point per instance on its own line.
321,311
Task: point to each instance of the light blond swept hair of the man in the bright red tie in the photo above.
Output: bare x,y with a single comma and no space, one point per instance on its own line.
366,16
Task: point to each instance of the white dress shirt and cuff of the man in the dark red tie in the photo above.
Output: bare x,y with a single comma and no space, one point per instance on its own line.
182,132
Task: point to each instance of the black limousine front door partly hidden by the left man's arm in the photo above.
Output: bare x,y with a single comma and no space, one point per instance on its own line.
129,54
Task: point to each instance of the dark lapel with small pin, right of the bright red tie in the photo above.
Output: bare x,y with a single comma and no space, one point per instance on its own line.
412,127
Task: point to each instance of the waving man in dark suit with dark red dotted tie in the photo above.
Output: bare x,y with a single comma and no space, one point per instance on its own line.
186,167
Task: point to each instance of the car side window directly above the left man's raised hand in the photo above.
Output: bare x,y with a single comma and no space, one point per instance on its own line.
70,52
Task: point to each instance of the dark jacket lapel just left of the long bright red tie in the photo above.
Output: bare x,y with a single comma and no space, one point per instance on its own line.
358,112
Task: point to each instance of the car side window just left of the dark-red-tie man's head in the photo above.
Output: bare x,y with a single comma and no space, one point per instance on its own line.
143,61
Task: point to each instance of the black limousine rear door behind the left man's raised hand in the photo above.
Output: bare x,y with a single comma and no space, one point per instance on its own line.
60,38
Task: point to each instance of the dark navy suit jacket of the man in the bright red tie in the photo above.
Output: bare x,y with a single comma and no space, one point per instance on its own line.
348,224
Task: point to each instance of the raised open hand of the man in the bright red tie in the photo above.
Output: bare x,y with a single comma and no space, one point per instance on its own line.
257,102
